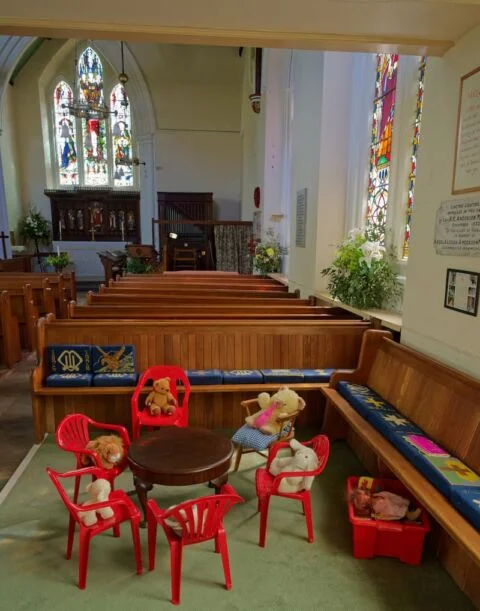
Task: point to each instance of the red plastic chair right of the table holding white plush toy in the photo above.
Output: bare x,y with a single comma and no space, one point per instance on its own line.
267,484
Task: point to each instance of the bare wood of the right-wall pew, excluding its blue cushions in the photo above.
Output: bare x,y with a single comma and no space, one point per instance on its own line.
445,405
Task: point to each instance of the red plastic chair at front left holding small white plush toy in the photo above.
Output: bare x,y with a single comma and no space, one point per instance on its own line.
123,508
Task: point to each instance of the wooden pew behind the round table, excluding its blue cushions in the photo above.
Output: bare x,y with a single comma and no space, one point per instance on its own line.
194,345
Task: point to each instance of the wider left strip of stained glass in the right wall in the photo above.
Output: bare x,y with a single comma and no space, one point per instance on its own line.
381,145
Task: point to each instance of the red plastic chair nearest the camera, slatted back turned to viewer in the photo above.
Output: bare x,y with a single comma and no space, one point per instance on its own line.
200,520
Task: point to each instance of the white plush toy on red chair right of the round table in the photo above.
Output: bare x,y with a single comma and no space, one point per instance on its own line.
304,459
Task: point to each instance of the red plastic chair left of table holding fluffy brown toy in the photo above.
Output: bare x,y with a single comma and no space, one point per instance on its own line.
72,435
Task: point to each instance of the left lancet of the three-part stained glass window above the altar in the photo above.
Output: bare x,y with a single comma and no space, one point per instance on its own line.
65,136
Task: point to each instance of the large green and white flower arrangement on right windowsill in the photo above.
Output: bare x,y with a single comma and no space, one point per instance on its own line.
362,273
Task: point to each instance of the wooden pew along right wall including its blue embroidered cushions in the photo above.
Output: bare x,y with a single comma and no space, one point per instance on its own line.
415,397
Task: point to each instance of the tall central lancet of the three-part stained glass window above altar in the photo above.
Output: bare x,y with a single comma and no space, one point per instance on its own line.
94,131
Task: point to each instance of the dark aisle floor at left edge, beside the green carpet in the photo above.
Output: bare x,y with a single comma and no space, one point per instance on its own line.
16,425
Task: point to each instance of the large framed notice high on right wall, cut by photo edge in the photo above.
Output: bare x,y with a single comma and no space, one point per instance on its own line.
466,169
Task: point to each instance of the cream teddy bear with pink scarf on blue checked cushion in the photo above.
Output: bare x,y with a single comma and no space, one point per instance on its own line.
284,402
